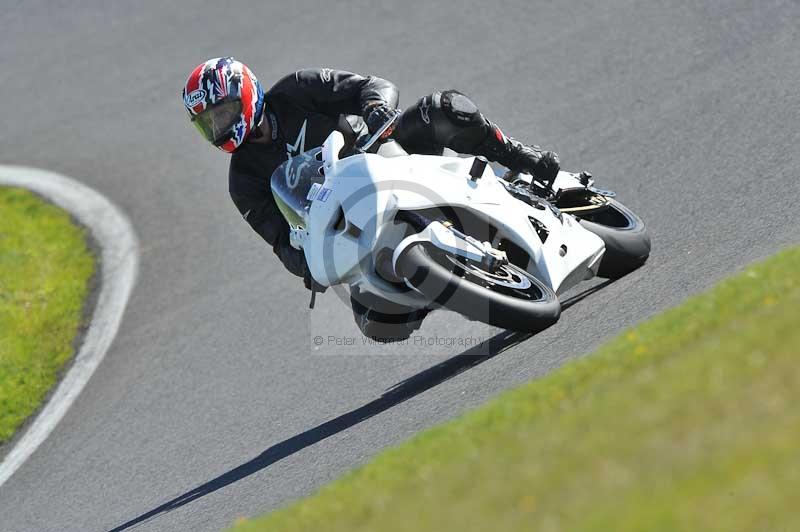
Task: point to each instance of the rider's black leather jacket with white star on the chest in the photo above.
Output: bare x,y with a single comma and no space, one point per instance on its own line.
303,109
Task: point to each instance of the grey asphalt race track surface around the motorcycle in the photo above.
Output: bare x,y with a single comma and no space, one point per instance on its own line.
214,403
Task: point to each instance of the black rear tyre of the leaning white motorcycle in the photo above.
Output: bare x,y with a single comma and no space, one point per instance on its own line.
626,238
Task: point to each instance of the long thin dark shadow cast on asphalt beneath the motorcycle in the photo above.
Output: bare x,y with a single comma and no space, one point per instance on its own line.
399,393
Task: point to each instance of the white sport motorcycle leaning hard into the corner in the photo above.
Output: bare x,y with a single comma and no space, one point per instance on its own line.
427,231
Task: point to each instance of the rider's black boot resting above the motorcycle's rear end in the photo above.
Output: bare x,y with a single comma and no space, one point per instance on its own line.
518,157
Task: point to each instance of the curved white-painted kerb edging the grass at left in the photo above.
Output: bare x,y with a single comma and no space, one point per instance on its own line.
119,261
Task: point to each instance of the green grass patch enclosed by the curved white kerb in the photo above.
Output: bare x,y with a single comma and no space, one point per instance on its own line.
45,267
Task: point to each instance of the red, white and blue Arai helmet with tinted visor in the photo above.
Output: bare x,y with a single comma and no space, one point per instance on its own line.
224,100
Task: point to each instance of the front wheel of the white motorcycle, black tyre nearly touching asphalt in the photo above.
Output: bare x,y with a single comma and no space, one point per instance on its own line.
508,297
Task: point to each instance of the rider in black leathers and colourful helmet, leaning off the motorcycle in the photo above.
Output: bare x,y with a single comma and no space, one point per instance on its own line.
226,102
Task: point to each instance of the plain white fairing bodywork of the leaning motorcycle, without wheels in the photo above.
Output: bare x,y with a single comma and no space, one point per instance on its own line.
367,191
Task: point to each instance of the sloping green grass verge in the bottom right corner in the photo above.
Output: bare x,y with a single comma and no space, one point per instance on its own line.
687,422
